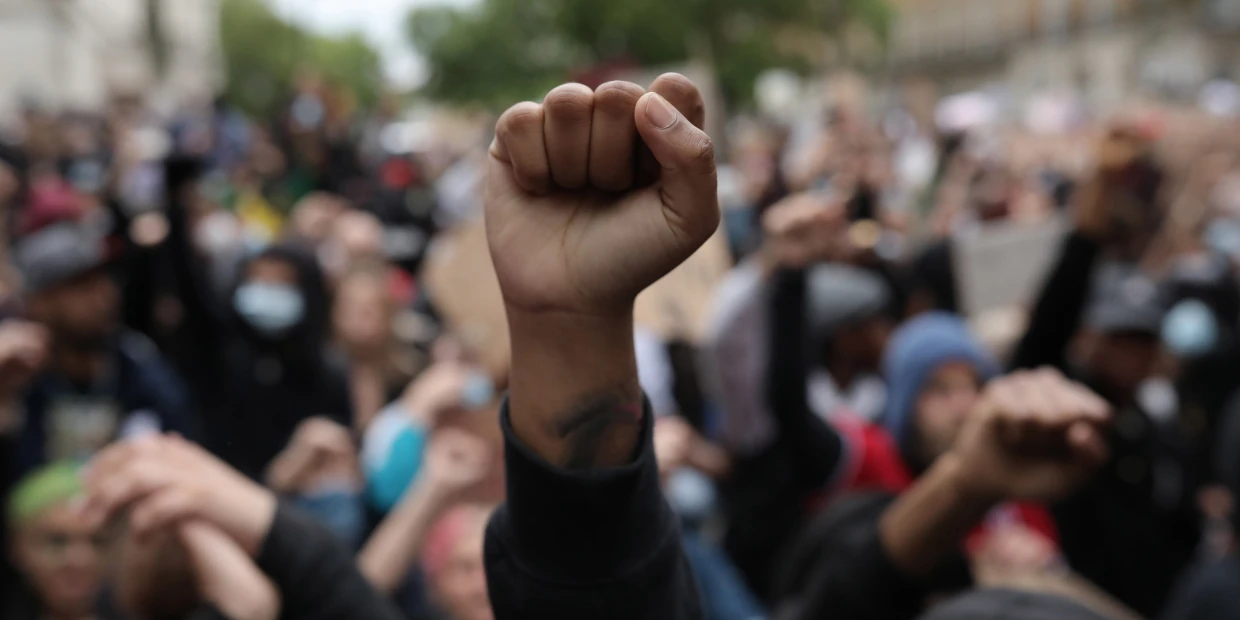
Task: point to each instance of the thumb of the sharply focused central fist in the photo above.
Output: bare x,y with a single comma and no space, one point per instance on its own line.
686,156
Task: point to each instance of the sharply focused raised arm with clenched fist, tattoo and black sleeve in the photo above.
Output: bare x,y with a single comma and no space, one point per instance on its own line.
576,231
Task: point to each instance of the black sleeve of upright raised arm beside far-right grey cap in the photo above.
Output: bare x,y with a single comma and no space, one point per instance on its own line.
1058,313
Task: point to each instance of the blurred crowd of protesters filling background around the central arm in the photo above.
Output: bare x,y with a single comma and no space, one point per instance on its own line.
208,317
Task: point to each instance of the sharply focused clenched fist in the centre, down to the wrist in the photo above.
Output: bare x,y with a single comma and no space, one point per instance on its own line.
595,195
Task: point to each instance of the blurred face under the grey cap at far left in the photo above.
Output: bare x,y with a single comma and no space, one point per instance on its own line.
81,313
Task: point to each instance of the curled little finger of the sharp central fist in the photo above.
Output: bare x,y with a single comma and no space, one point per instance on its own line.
520,143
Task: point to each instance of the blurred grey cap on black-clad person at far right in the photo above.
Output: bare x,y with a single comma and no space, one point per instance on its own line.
1125,301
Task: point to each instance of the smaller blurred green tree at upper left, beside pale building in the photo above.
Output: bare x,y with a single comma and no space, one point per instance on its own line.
265,54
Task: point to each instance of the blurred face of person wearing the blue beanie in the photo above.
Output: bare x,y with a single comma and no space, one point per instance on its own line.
943,406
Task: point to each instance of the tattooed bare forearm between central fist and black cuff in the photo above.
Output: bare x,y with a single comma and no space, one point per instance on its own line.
573,394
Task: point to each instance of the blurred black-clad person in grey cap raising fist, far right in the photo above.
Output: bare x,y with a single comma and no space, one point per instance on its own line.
1110,317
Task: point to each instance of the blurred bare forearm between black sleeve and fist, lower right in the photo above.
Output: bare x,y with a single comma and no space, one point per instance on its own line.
931,520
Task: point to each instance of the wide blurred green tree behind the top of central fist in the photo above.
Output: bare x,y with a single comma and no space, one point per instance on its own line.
502,51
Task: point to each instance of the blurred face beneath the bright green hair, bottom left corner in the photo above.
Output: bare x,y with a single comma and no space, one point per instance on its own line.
63,560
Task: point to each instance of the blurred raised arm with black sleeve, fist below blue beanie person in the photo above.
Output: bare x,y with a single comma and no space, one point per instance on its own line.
1034,437
